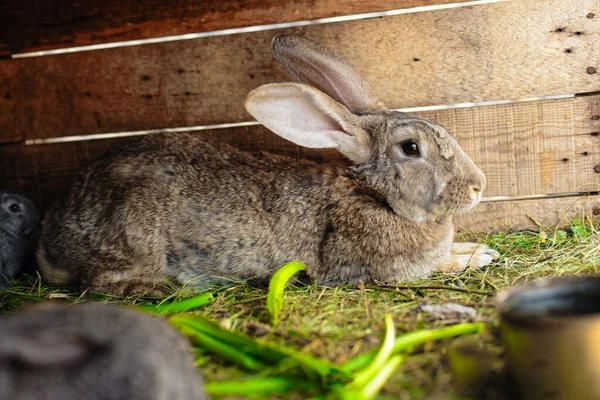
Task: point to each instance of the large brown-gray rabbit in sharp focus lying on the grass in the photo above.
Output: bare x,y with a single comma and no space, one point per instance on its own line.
180,207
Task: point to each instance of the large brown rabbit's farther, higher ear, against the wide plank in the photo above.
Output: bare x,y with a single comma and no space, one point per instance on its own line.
321,68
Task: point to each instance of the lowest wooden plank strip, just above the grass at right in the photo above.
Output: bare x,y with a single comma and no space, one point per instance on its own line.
526,215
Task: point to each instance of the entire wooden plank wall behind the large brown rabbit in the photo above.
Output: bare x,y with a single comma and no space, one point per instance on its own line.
508,50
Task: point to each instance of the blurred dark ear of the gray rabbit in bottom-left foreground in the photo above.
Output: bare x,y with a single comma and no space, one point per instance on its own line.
48,349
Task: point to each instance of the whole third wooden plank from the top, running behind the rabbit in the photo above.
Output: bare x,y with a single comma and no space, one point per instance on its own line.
541,147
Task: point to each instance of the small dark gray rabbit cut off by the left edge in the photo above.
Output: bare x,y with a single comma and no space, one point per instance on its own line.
19,226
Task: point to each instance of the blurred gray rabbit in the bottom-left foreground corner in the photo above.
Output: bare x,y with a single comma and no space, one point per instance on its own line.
94,352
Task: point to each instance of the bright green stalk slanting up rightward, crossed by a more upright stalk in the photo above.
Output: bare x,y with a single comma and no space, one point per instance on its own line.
413,339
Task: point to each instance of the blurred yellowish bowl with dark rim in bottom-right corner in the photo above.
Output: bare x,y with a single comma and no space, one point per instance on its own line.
551,331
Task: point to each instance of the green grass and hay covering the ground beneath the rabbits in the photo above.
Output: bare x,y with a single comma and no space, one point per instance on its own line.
337,324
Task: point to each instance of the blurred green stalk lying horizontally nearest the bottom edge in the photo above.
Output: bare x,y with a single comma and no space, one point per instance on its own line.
260,387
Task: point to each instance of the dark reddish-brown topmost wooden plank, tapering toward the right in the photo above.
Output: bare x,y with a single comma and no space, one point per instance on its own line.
33,25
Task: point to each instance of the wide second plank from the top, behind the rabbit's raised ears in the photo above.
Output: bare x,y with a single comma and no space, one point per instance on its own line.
504,50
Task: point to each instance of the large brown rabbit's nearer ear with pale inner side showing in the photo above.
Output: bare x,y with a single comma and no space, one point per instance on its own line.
309,118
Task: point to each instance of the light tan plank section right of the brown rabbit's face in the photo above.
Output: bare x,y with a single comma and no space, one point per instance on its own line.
550,146
